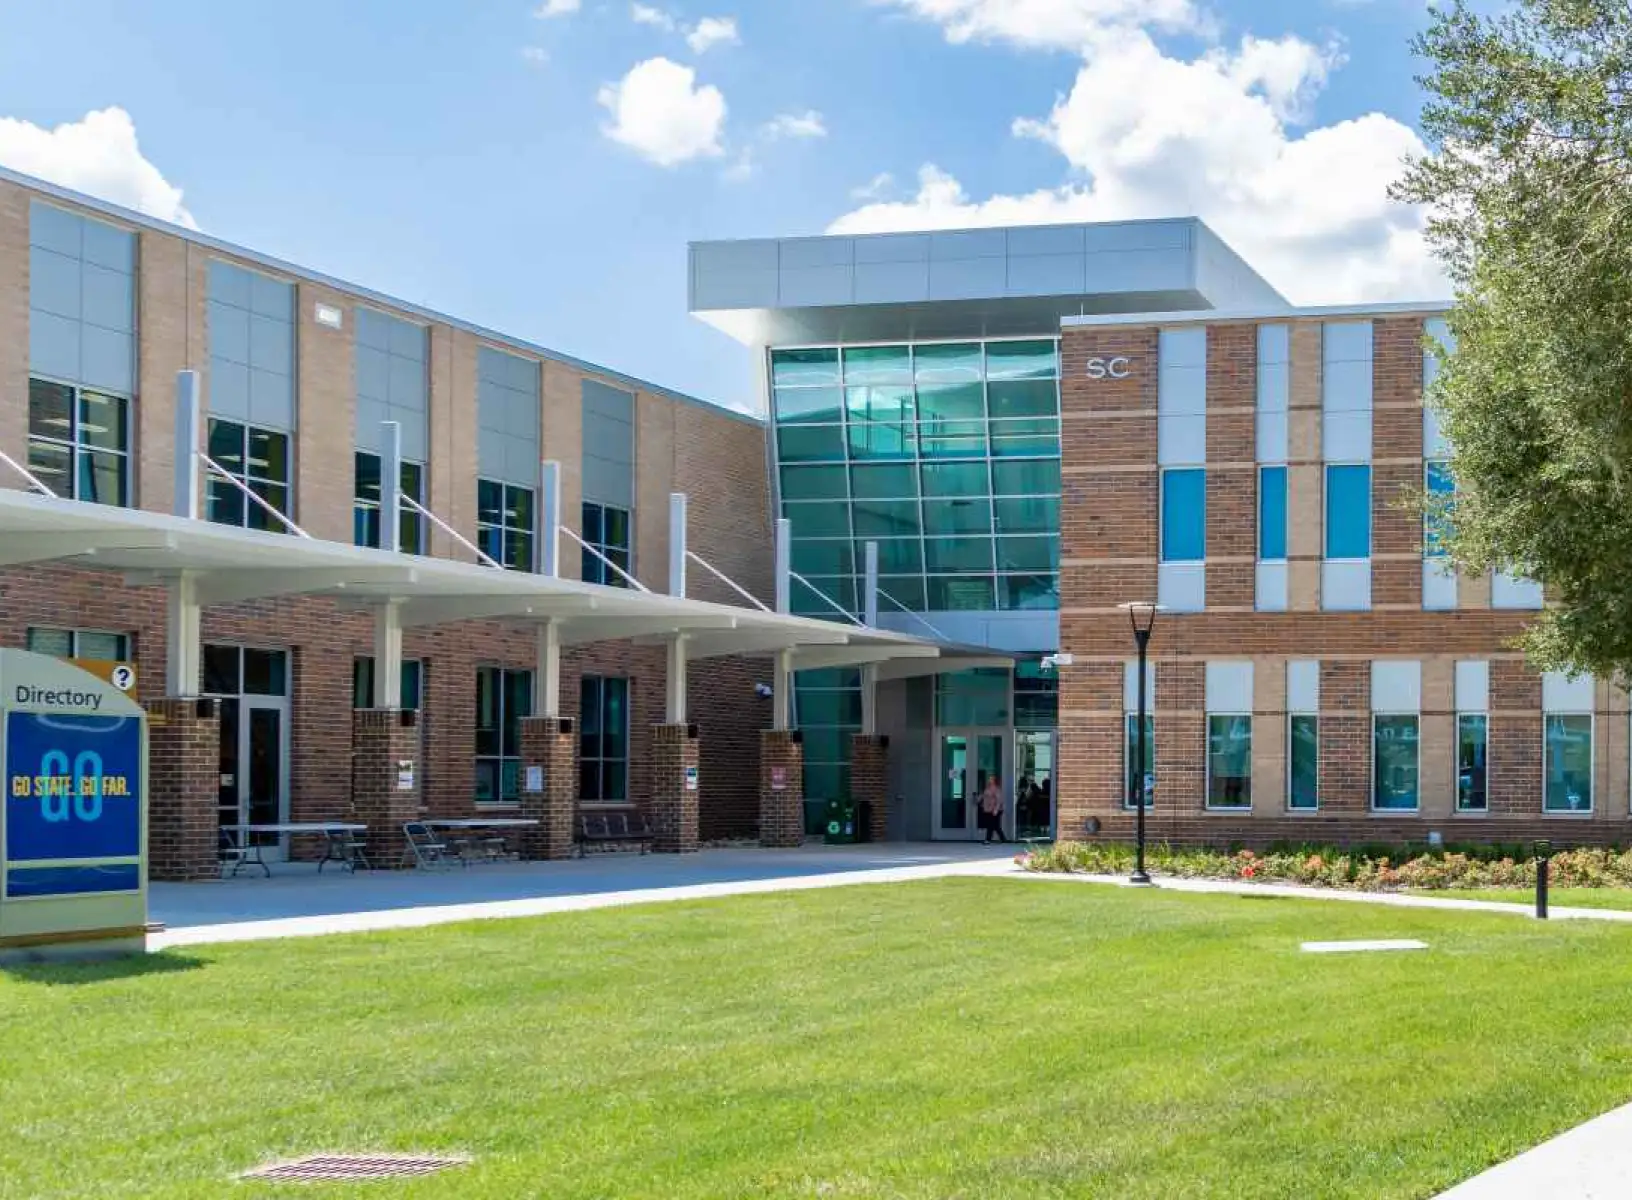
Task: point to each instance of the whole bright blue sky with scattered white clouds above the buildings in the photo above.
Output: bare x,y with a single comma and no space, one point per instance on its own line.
539,166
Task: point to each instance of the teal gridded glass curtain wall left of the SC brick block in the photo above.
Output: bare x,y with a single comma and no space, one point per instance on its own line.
947,455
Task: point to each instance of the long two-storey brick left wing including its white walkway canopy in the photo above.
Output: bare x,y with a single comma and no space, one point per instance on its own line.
223,533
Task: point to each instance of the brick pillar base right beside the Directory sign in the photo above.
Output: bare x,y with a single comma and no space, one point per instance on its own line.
184,788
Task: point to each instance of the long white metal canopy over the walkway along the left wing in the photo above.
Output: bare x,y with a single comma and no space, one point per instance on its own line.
231,566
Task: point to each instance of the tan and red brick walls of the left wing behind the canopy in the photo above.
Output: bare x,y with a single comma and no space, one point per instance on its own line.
680,447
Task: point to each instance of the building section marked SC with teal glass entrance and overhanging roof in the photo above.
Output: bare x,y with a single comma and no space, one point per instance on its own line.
1037,425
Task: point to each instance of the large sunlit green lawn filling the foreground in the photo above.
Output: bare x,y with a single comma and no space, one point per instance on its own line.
946,1039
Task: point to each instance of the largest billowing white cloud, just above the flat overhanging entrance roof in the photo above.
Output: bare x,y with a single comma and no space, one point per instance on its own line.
1151,136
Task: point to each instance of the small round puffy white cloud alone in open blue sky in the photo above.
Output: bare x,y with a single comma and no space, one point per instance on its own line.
662,113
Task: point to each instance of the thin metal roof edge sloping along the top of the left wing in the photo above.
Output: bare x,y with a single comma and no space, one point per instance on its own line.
197,238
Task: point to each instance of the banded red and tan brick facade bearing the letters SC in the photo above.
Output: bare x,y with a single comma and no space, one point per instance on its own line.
1111,541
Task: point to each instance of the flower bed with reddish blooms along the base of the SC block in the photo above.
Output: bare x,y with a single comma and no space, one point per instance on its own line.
1362,869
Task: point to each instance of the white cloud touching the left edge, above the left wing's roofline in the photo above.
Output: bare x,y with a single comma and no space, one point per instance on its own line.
97,156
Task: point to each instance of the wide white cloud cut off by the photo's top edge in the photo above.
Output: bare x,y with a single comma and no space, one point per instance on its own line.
1058,25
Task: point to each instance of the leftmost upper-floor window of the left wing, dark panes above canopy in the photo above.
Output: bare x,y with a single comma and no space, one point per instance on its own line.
79,442
